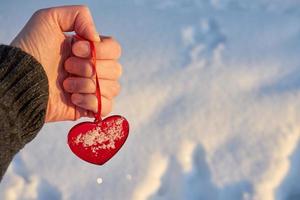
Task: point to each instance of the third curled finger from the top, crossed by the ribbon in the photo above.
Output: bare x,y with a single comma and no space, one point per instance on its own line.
108,89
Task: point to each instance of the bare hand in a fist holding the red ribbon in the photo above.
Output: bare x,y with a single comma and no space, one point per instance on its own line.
67,61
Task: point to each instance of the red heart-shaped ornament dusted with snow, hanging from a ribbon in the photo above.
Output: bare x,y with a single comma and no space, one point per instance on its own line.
97,142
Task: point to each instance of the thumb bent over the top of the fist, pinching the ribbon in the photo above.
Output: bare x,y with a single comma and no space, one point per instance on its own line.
73,18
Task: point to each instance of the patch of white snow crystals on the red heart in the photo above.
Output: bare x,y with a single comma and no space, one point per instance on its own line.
102,138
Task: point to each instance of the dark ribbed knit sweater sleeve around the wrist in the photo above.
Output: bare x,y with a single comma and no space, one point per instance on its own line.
23,101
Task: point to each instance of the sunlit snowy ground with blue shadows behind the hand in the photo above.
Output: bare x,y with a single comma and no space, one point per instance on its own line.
212,92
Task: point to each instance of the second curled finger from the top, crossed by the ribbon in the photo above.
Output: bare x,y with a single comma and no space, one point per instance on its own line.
106,69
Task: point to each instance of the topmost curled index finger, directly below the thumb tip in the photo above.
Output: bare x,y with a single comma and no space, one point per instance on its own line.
107,49
